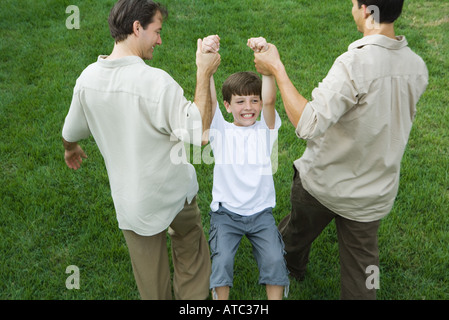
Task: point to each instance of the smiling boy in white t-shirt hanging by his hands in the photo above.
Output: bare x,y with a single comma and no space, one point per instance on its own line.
243,188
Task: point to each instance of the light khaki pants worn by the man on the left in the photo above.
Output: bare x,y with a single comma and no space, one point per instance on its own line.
190,255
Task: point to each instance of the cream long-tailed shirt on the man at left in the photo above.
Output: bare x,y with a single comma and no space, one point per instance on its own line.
139,118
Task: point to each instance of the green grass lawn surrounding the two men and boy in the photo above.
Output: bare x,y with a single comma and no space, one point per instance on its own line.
51,217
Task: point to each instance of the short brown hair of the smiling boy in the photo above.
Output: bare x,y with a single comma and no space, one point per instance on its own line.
244,83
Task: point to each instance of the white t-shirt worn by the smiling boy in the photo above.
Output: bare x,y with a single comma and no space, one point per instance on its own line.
243,179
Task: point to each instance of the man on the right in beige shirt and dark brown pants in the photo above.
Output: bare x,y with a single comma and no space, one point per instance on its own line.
357,126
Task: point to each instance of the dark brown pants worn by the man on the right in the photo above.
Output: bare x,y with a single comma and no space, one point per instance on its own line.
357,242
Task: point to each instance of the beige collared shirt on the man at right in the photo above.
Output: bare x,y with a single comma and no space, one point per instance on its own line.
357,125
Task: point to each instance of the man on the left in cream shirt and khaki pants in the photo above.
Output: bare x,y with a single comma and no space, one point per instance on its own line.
137,115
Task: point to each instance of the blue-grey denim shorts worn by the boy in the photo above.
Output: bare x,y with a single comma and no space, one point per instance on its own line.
226,231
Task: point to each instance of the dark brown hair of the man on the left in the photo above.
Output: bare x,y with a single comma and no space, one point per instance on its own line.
125,12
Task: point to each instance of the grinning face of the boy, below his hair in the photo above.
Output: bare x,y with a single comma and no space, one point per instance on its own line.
245,109
